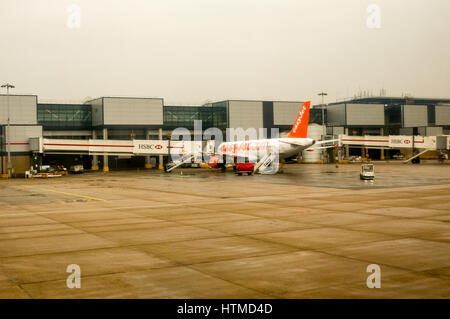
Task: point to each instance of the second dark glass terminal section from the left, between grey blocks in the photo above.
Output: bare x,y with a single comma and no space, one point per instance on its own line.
184,116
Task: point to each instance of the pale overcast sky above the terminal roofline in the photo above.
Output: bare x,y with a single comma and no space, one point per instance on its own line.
193,51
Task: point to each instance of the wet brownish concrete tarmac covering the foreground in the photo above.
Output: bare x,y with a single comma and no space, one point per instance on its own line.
310,232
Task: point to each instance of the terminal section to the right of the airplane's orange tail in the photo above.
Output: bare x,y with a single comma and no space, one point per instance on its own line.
388,116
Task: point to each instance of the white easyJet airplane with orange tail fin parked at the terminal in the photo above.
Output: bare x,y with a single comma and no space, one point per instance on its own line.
271,150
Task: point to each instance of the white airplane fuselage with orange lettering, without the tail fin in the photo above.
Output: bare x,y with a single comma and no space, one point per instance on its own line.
286,147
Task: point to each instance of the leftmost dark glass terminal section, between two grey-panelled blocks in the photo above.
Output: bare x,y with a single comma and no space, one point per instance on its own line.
64,116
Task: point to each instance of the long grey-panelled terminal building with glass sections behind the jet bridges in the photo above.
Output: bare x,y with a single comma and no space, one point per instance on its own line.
125,118
